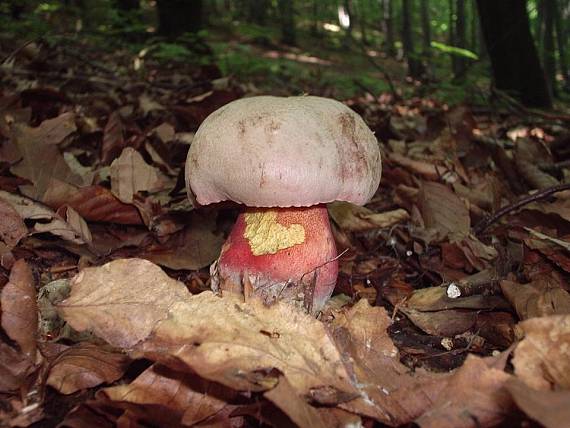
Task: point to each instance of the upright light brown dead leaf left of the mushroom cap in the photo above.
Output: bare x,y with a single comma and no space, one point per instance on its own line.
131,174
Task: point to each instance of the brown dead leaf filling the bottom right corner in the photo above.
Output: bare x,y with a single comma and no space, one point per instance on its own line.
549,408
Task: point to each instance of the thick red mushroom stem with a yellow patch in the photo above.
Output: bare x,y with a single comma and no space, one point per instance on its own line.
286,254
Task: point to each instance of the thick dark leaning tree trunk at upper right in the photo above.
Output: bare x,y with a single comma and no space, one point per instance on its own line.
514,59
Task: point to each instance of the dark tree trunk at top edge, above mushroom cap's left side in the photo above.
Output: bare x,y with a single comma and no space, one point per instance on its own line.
176,17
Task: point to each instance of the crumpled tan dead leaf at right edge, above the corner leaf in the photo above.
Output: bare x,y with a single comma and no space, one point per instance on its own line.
542,359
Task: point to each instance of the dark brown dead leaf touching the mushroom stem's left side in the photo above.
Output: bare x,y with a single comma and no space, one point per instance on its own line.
197,246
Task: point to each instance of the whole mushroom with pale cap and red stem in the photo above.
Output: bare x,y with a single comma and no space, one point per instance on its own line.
284,159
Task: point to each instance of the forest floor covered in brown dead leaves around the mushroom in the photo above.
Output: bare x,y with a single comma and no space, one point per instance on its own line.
452,307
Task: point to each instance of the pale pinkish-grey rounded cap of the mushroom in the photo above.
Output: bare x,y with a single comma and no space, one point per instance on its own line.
270,151
